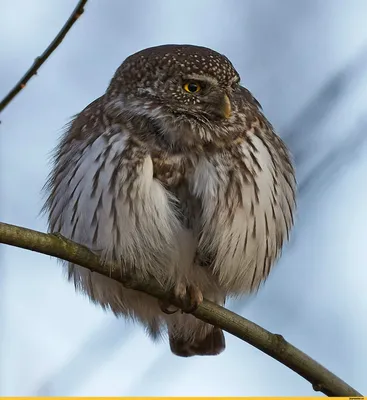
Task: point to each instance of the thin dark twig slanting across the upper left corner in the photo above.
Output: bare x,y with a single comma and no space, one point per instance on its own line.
78,11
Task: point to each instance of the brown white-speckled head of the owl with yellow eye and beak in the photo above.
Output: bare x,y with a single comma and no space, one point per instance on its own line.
184,82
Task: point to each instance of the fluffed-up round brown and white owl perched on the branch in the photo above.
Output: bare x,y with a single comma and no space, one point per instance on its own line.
173,173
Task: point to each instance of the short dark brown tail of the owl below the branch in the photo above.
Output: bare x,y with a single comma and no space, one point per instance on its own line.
202,342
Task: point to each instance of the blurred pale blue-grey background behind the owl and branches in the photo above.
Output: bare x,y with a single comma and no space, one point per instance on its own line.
306,62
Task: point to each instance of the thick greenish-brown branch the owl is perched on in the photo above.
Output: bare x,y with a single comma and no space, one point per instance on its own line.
272,344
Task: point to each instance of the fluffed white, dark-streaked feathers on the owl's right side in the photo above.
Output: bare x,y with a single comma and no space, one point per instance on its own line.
248,197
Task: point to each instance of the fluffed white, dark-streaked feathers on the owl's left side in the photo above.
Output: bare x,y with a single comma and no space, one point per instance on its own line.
102,194
